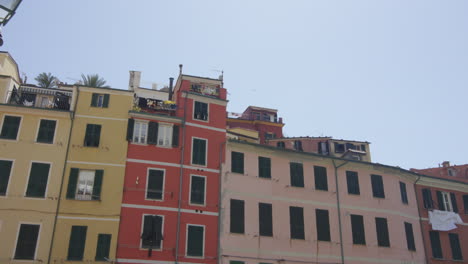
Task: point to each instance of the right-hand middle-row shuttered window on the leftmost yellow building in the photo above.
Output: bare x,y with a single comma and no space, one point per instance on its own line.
38,177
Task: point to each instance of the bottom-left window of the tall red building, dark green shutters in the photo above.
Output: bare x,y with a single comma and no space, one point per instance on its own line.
152,232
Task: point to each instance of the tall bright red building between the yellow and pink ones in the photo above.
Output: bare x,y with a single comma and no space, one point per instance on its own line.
171,190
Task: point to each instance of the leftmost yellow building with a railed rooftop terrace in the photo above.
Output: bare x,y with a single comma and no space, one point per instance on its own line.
34,130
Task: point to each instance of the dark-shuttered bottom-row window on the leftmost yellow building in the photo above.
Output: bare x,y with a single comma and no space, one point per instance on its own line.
27,242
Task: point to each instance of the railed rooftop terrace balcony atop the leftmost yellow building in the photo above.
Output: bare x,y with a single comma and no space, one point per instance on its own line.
48,98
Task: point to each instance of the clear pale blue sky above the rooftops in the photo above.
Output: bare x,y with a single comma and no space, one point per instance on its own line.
391,72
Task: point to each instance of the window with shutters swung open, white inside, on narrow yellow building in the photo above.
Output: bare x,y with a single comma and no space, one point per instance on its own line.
84,184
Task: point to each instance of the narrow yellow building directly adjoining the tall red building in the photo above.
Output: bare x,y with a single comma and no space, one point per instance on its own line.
91,195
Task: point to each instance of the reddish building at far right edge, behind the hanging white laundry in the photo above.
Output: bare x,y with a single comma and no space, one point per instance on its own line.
446,190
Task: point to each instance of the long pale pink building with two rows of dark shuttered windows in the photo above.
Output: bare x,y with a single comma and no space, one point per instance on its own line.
285,206
